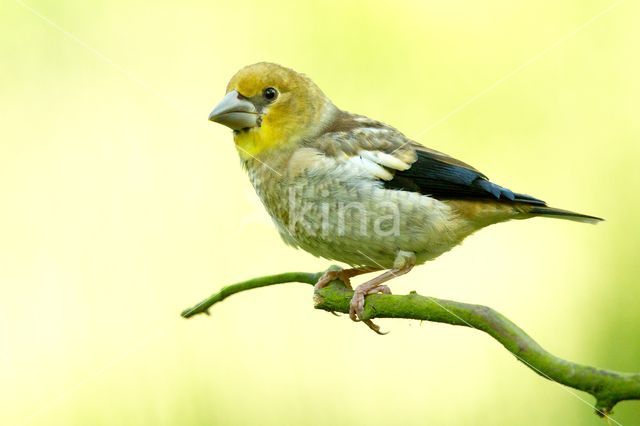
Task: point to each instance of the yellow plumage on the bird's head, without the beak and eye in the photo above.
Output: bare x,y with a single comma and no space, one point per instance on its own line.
298,111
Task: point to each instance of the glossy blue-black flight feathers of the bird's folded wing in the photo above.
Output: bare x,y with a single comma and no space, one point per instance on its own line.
433,176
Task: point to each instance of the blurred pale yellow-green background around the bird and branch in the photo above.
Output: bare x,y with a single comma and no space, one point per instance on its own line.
120,205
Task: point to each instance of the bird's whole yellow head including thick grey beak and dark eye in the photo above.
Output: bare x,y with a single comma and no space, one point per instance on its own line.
268,105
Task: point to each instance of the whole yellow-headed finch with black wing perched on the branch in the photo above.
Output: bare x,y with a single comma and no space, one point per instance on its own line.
352,189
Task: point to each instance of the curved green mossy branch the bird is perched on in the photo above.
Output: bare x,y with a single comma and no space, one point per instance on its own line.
608,387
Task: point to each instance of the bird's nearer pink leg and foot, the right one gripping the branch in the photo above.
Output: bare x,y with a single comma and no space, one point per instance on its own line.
404,262
